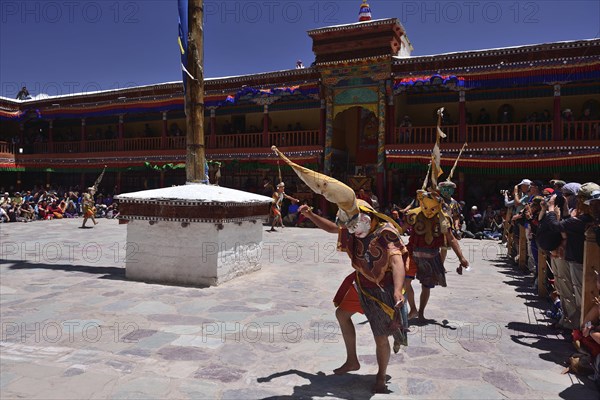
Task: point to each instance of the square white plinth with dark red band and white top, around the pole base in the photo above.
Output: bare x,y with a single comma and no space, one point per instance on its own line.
194,234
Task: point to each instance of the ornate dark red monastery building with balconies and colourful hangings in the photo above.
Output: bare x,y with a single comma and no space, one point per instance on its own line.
363,112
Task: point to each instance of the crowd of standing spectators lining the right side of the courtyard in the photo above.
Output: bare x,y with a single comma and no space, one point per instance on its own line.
555,217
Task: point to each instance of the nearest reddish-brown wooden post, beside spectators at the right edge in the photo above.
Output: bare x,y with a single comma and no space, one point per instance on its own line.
591,266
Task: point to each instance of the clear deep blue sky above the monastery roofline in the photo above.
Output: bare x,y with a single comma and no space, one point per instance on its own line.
67,46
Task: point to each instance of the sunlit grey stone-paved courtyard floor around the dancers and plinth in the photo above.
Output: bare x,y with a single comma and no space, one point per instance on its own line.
73,327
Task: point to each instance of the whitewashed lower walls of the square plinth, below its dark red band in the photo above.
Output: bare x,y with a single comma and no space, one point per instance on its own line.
199,254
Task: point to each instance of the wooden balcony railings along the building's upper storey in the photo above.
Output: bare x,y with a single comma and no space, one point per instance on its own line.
492,135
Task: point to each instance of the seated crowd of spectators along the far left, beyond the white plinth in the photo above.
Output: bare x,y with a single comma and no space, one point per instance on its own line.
42,204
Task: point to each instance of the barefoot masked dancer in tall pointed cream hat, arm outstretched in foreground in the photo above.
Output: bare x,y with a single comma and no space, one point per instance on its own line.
372,241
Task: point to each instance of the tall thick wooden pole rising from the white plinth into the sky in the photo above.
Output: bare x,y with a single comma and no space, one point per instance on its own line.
194,94
